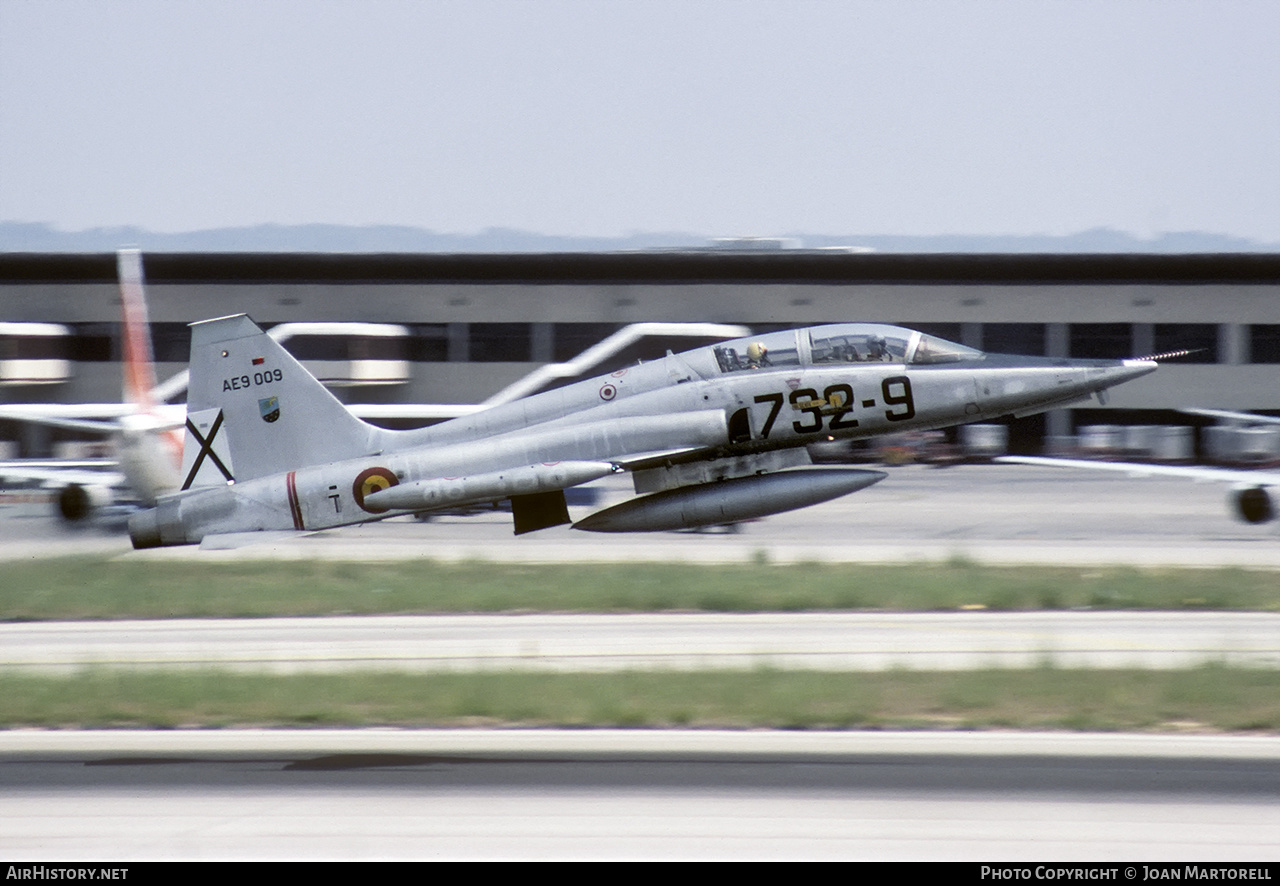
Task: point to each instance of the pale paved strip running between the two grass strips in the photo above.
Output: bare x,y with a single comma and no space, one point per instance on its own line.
828,641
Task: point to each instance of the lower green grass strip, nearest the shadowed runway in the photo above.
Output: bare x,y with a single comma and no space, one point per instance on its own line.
1208,698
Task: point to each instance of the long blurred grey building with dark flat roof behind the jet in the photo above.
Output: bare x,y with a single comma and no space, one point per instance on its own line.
472,325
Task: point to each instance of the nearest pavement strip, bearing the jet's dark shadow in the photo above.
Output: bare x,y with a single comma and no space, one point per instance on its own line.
615,794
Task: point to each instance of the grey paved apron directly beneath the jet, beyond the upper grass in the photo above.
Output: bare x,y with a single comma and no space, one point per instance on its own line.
998,514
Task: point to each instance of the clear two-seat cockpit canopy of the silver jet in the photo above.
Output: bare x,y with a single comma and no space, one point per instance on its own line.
840,344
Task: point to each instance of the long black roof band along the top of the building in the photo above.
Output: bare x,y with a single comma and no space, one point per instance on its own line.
653,268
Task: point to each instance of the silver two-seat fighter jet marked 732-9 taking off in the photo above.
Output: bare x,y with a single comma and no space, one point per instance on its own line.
711,436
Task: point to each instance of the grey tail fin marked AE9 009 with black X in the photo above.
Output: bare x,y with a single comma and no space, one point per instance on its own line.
253,410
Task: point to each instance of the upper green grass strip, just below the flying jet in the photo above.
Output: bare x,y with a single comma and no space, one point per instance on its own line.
107,588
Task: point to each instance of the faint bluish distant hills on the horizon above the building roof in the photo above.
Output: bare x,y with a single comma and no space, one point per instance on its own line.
36,238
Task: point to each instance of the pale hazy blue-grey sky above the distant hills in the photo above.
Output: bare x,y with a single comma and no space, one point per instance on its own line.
609,117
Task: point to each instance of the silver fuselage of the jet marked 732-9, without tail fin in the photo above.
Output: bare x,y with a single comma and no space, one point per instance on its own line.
712,403
